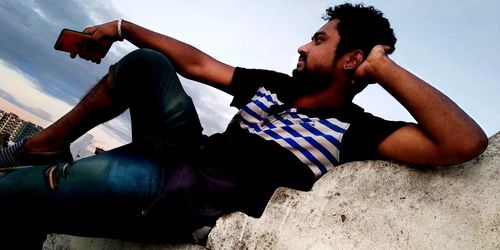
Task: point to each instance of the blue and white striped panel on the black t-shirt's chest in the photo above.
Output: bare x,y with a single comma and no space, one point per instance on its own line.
316,142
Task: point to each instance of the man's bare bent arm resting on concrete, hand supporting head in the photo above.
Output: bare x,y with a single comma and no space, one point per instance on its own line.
444,135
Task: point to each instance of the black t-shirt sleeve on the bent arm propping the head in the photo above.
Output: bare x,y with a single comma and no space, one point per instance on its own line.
363,136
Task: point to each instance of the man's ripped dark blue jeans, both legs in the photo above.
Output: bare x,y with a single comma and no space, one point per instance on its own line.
129,191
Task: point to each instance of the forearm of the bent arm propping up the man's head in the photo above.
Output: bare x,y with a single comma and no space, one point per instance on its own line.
443,122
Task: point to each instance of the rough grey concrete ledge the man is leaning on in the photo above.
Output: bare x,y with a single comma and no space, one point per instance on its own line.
364,205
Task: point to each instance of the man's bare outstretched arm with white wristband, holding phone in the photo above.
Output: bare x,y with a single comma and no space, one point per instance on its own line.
188,60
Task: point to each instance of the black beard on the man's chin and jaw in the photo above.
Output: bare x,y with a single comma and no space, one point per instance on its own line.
306,82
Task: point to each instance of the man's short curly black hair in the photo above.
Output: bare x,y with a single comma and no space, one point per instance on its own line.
360,27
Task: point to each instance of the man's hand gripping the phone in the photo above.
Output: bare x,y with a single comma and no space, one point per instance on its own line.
106,34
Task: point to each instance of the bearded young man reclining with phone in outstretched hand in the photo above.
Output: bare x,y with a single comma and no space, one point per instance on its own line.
289,131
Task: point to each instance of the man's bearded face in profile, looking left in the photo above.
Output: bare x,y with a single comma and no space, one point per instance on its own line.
317,66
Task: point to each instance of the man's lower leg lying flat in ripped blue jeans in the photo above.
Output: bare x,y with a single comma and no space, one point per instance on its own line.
112,194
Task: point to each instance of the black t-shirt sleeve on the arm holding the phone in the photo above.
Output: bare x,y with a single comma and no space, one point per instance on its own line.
246,82
